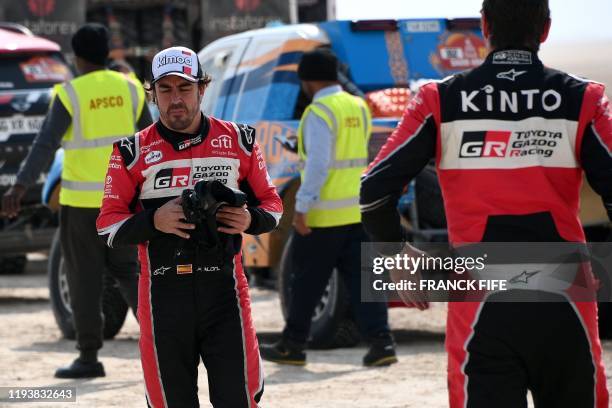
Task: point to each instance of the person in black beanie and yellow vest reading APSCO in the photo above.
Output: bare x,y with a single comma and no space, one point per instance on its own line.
86,116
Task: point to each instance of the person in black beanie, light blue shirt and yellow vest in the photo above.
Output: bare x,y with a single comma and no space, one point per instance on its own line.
333,147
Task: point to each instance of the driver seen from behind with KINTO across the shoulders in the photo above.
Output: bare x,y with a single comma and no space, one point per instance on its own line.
499,186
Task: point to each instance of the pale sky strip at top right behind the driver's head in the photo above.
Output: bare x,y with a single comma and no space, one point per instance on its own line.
572,20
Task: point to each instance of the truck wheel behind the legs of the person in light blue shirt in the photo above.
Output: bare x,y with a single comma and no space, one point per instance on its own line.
332,322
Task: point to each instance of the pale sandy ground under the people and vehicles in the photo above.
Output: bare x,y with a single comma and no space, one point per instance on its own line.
31,348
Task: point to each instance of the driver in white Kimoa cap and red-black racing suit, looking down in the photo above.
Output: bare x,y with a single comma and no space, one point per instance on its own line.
194,300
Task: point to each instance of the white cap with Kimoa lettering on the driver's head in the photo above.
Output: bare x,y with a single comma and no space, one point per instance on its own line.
179,61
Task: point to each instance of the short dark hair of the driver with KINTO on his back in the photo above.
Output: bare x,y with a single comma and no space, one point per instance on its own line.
516,23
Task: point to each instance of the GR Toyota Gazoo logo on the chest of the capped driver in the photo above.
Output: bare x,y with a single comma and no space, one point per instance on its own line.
184,177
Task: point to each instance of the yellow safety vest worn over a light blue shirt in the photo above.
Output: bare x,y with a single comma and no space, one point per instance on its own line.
350,122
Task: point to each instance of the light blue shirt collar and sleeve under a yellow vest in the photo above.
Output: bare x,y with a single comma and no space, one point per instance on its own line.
317,144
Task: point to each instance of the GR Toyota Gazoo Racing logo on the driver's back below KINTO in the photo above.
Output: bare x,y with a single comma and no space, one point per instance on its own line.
500,144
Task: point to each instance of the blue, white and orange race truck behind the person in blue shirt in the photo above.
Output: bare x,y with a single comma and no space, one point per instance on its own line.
255,82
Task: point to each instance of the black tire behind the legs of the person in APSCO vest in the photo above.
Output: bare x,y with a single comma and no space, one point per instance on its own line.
114,307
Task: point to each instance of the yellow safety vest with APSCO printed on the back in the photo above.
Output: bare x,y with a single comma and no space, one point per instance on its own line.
104,106
